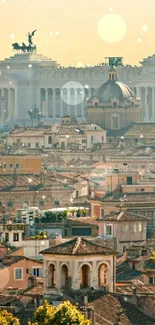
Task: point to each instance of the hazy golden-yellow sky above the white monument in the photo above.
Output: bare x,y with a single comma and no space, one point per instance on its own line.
76,24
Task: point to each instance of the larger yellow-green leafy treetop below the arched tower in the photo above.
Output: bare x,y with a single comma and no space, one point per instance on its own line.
64,314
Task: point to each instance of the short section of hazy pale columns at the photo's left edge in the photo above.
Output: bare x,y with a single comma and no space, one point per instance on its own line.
7,104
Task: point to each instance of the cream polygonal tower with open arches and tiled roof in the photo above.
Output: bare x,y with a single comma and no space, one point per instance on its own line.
78,264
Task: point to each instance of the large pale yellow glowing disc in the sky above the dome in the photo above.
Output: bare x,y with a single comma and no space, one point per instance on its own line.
112,28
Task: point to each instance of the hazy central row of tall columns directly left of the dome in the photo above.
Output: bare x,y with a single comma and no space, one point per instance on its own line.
56,102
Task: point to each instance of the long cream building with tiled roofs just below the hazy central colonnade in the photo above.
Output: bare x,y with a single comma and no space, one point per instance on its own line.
58,136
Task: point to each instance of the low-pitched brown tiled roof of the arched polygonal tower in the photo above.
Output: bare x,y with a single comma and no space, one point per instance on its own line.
78,246
